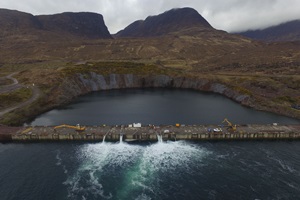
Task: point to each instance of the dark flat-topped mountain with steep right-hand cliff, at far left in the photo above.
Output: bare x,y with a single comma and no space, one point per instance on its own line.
83,24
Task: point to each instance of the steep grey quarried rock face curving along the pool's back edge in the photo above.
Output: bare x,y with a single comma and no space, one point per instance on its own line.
85,83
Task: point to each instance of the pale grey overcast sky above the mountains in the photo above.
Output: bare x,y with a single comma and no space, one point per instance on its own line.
228,15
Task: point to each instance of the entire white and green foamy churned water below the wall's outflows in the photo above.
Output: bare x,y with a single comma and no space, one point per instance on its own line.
134,169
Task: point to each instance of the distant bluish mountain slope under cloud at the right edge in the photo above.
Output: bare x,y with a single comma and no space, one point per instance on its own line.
289,31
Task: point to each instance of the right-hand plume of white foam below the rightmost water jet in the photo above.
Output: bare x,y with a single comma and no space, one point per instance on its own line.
163,158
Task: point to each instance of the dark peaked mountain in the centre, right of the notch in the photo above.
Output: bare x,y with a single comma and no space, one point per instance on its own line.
168,22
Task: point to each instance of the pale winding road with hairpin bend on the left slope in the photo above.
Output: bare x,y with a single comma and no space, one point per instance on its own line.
15,85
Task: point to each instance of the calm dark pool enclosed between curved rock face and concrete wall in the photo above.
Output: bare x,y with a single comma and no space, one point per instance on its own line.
155,106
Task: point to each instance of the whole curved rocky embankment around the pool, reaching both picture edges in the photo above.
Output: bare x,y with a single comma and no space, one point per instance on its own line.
77,84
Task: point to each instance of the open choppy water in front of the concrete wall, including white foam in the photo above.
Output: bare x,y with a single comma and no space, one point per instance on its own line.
168,170
